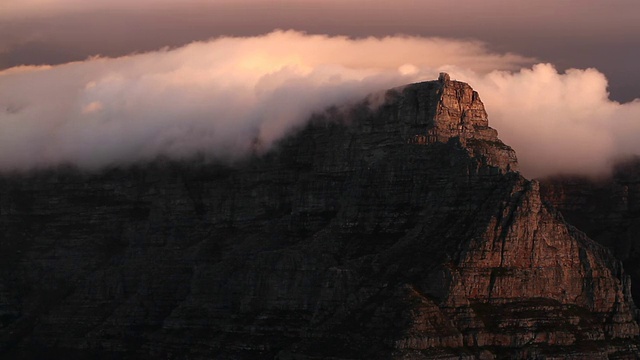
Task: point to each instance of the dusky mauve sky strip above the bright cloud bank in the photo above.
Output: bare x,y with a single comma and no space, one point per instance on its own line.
569,33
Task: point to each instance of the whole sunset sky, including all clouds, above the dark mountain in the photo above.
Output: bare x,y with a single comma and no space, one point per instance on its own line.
109,81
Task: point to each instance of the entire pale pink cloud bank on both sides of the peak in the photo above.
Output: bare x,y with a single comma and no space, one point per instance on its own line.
216,97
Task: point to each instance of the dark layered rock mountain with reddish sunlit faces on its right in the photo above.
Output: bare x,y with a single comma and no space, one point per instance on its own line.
398,231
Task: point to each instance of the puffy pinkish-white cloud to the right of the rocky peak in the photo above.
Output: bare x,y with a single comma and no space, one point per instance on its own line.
559,123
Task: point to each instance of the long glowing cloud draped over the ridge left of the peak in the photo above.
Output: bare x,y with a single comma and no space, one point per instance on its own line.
215,97
